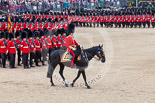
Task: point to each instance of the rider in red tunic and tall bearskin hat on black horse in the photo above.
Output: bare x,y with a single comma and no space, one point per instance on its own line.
71,44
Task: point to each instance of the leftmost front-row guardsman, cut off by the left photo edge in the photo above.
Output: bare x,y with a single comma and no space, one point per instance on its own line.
3,46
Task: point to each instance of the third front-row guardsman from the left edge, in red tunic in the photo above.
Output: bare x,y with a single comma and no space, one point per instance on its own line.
24,47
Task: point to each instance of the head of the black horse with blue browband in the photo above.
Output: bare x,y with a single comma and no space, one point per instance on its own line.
100,53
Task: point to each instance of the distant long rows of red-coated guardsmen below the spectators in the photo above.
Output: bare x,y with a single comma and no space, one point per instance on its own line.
91,18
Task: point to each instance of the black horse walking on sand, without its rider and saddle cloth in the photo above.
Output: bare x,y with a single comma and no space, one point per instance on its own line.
86,55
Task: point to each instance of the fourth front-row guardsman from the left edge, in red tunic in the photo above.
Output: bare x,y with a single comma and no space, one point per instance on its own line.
31,47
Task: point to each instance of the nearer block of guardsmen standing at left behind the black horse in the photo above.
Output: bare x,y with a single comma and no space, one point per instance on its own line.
31,47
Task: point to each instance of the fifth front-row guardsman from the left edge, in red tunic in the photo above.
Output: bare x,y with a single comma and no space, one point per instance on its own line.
38,48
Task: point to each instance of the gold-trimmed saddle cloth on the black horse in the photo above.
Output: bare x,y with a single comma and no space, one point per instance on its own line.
66,56
